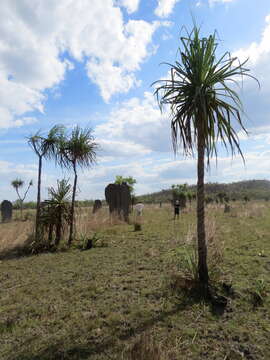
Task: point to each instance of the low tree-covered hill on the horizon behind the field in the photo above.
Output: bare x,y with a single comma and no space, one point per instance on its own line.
254,189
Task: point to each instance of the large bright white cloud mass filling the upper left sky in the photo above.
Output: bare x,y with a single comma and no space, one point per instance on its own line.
39,40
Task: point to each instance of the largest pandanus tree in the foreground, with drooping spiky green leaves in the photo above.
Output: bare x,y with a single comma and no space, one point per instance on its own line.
200,93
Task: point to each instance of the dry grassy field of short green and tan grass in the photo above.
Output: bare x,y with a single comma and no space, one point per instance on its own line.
131,296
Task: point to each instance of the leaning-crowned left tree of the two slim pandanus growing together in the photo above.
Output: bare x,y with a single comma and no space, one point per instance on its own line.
44,147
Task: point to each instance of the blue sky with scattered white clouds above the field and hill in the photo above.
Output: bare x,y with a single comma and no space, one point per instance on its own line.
92,63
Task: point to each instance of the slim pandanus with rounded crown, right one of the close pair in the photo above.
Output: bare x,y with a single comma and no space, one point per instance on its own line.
77,150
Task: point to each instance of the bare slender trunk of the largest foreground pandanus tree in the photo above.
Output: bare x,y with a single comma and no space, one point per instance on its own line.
202,248
